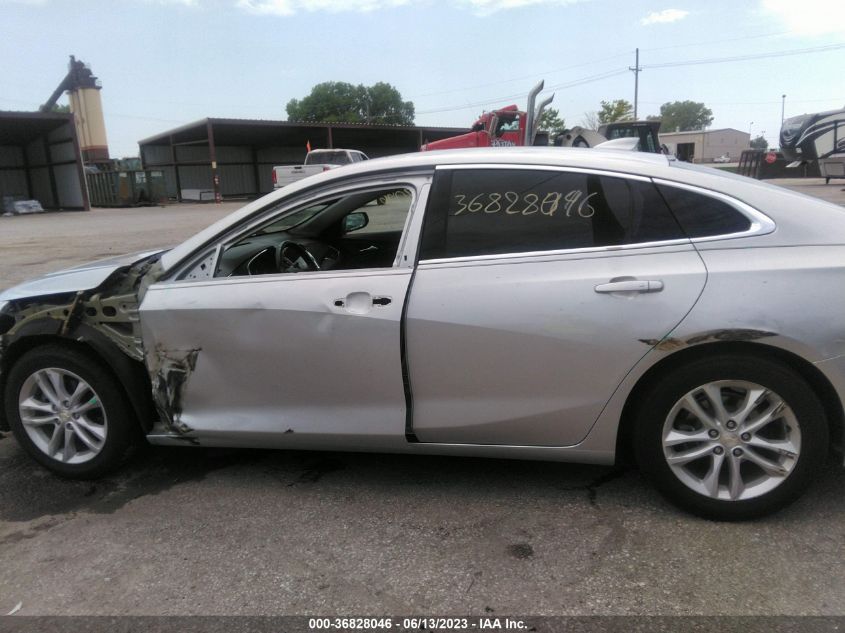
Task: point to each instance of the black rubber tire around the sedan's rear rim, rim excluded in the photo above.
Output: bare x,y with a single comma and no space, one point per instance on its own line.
656,406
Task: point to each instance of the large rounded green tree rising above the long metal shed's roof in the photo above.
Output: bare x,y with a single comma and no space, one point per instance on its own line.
341,102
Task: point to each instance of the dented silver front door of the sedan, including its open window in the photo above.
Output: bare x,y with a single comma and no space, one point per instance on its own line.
290,355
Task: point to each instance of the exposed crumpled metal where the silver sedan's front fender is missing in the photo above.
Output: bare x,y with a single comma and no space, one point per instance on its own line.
107,313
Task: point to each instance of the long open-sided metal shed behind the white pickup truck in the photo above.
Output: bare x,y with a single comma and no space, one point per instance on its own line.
235,157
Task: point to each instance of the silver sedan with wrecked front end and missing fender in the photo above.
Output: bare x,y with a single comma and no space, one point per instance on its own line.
572,305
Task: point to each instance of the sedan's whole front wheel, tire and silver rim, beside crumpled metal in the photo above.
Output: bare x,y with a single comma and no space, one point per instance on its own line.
68,412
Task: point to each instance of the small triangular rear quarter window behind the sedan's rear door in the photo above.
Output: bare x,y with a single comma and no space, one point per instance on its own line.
703,216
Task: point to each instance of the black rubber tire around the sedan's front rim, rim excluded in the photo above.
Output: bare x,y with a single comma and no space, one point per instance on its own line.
121,431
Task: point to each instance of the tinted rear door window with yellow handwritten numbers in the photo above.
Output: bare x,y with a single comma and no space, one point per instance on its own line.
497,211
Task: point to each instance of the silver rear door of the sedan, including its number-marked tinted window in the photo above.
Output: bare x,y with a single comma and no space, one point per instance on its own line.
536,291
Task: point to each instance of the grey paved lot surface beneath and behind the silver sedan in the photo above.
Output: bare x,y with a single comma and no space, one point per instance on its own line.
193,531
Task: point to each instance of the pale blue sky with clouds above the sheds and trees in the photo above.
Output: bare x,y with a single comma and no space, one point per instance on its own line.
164,63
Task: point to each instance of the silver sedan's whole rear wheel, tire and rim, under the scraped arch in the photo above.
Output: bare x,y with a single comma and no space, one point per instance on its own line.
731,438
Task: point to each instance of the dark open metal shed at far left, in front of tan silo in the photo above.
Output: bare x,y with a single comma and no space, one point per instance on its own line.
40,160
